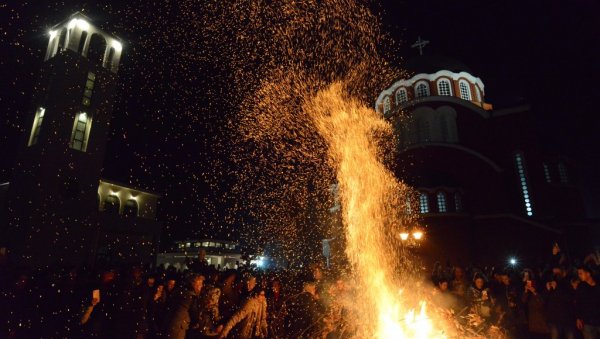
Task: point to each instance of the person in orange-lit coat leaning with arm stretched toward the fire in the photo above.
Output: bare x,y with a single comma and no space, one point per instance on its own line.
252,318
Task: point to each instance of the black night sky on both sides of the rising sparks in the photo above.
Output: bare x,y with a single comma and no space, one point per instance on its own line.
544,53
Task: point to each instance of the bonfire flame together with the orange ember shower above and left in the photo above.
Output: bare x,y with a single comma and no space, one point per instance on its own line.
304,73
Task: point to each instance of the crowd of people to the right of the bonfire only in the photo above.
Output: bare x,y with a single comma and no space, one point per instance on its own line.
560,299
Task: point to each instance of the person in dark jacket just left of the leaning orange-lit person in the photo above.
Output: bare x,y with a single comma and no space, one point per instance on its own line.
182,306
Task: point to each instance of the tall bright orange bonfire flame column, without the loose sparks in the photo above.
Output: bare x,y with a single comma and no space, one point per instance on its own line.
368,192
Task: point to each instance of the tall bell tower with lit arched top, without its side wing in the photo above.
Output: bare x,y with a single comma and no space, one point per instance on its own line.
52,202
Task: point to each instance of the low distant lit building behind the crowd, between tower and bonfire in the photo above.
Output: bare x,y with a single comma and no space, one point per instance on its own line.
219,253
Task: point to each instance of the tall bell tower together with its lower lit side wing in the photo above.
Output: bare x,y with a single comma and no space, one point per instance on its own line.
57,208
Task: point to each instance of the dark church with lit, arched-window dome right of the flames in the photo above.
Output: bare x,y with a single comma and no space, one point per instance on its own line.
486,186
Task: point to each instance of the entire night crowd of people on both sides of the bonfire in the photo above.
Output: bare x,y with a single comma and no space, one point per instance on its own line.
556,301
